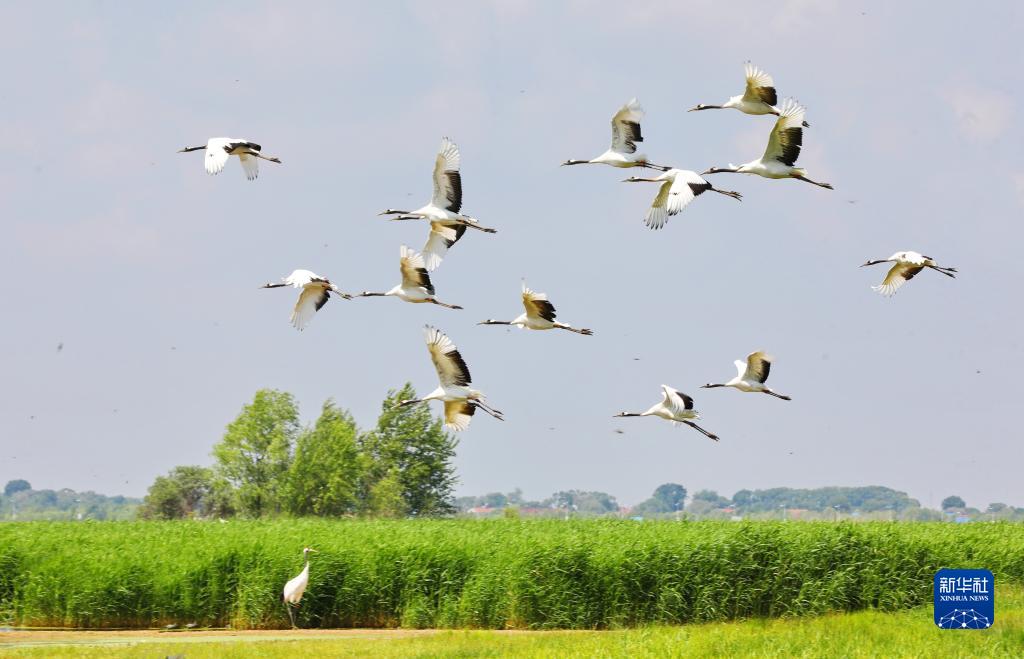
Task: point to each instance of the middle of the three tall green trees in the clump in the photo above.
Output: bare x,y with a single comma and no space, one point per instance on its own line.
327,472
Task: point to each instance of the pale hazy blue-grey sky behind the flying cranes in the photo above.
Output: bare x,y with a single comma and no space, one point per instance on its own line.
147,269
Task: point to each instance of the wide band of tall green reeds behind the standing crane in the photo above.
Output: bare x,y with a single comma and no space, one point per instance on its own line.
485,575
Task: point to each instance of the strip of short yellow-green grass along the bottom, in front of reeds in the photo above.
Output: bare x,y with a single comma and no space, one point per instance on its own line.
867,634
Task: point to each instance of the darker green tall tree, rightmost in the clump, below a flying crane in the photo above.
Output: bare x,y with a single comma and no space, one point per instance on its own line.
410,448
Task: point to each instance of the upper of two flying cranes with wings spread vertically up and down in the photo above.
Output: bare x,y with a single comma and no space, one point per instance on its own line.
447,224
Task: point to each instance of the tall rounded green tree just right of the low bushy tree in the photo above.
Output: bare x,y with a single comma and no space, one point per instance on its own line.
257,452
